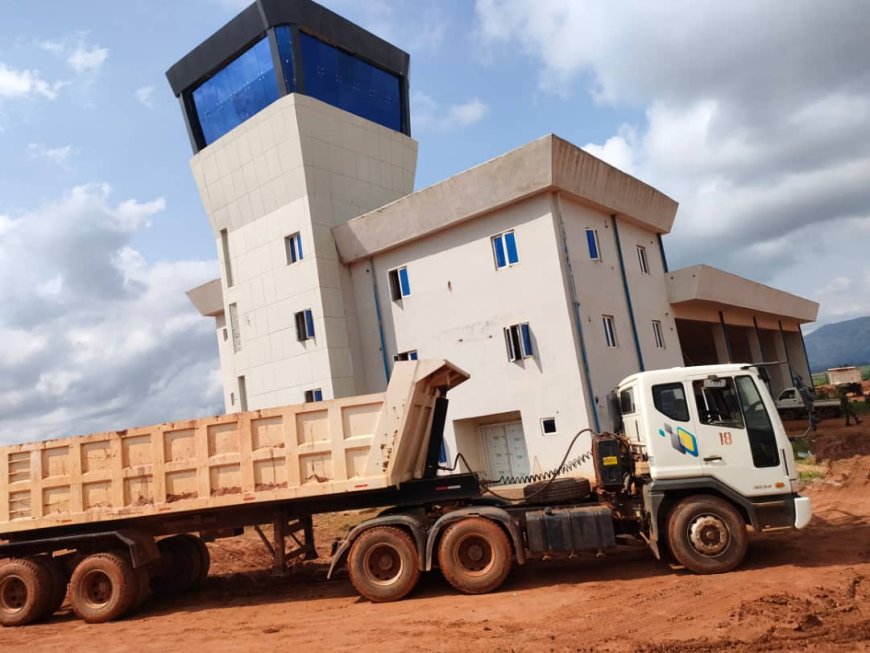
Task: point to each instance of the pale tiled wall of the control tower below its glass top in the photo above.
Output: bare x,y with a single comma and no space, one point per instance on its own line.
300,165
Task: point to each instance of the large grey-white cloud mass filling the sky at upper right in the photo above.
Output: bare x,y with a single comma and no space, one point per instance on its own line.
760,132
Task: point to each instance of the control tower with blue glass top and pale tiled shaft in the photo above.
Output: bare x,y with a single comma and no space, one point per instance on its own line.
299,121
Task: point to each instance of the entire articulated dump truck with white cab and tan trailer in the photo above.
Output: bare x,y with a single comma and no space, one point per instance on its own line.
695,455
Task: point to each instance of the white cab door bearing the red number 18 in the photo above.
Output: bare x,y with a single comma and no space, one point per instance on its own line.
736,439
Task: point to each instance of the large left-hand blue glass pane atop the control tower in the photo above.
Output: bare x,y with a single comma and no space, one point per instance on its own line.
236,92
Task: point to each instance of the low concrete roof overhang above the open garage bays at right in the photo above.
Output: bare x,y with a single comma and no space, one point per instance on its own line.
707,287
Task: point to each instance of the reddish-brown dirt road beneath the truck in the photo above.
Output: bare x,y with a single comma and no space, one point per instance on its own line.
797,590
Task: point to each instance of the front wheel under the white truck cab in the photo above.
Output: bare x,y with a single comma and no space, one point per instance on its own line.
707,535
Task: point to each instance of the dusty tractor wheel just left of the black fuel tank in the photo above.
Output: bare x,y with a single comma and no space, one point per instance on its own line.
475,555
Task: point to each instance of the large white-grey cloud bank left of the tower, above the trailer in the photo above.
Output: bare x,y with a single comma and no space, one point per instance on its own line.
99,336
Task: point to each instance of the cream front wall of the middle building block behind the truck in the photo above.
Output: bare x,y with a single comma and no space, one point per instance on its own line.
458,308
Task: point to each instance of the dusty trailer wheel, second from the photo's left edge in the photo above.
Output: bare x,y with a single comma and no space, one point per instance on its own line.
103,588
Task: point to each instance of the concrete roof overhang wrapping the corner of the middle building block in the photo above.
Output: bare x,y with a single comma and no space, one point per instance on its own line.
544,165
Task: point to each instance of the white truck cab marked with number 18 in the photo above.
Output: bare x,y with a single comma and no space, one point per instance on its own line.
712,429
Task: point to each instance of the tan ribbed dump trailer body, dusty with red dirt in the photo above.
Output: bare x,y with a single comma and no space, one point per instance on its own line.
325,448
